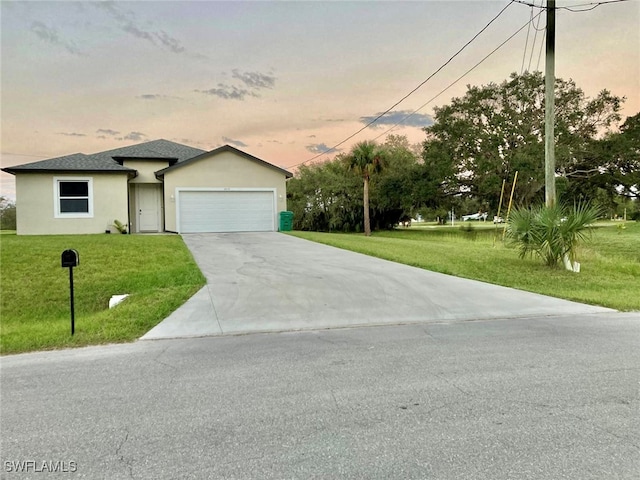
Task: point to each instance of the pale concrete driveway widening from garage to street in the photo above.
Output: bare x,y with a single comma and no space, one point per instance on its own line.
266,282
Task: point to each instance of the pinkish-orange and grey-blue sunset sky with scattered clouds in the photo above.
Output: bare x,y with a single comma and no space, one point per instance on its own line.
283,81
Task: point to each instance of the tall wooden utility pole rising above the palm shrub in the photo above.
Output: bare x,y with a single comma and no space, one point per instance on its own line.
549,107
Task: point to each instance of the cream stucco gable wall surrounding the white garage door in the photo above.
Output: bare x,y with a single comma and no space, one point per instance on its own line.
223,170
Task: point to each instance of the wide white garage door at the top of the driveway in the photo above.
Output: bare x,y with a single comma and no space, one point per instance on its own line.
226,211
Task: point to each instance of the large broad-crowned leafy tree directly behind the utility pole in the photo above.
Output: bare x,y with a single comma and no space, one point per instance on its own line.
497,129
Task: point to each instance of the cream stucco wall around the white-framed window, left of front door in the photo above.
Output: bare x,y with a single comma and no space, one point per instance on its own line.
35,204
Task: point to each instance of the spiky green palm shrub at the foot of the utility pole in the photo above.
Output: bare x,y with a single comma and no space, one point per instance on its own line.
553,233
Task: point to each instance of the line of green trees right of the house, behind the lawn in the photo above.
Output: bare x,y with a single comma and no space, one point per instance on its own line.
476,142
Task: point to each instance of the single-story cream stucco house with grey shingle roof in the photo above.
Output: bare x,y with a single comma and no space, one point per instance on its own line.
154,186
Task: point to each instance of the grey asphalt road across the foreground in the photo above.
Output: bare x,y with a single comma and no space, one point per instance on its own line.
546,398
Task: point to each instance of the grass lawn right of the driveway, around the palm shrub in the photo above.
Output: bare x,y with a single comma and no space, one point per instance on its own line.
610,262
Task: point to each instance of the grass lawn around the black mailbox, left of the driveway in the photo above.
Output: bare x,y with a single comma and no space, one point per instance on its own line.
157,271
